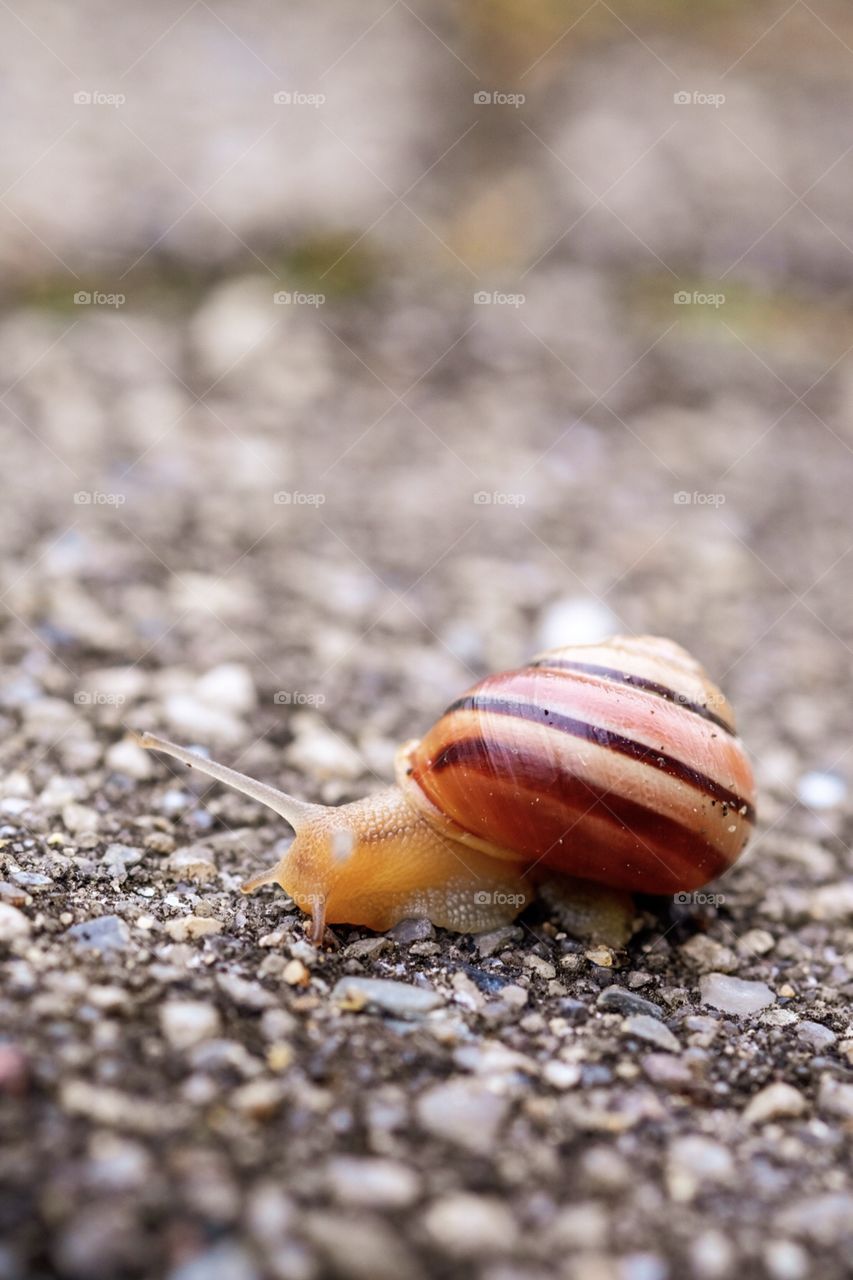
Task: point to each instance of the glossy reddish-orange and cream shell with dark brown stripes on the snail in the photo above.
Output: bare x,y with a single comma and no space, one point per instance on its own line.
615,762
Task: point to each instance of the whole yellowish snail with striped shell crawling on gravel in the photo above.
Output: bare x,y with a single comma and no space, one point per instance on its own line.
592,774
